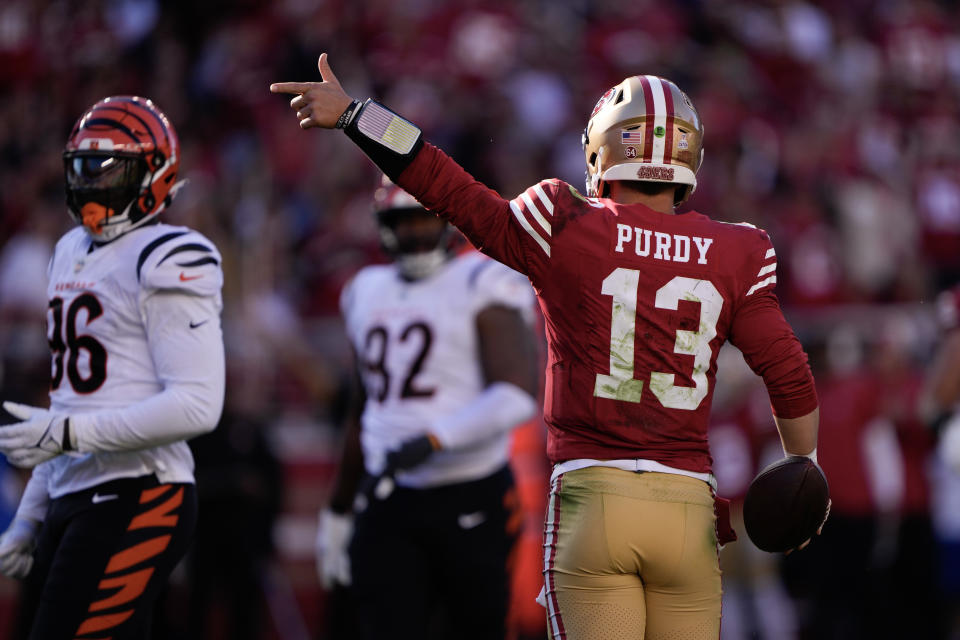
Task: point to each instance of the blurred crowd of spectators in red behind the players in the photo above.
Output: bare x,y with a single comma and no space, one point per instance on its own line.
832,125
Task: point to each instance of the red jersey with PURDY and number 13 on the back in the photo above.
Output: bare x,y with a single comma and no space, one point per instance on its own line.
636,306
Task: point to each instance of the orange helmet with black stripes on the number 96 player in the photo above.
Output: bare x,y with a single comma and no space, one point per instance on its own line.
121,163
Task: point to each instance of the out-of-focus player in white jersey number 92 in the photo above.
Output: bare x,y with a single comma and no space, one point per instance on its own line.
446,368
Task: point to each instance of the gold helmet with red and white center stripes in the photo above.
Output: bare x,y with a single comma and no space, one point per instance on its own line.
645,128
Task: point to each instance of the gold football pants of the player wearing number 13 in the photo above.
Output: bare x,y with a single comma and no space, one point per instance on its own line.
631,555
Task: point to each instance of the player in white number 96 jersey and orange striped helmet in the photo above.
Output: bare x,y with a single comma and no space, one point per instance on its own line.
137,369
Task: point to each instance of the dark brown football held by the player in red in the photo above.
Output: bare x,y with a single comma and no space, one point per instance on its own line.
785,504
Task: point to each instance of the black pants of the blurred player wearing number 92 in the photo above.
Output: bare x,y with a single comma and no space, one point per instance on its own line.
433,563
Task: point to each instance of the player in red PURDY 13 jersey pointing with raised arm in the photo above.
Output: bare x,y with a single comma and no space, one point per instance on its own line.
637,301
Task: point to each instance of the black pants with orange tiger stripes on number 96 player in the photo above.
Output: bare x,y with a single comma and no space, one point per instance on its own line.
103,556
